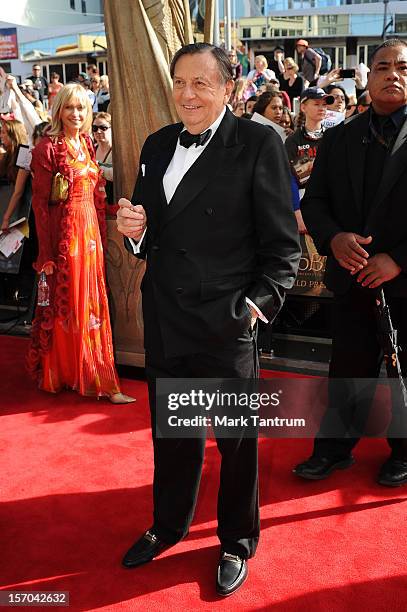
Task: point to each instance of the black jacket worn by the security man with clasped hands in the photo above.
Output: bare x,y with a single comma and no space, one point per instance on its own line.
333,201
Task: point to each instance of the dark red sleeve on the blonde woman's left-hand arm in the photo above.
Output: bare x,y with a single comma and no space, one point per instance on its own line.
42,167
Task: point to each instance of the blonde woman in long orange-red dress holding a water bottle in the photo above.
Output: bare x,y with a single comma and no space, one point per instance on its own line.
71,338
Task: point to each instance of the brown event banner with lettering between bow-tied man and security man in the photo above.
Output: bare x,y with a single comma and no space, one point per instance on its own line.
310,277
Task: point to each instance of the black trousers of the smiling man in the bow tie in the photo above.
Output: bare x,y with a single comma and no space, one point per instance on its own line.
178,462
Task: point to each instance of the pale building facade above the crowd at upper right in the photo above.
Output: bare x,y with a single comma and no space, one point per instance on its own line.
348,30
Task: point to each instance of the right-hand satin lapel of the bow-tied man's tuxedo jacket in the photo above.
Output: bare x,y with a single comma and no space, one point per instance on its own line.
222,147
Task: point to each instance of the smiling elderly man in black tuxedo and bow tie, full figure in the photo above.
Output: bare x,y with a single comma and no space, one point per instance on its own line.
212,215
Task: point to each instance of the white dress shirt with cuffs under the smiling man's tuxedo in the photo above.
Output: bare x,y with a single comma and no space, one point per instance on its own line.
181,162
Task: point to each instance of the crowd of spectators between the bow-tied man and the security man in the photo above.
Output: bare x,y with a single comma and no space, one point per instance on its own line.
299,98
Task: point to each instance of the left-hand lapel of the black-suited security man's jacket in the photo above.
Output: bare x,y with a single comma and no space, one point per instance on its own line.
356,148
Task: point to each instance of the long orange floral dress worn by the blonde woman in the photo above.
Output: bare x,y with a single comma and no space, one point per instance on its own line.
72,338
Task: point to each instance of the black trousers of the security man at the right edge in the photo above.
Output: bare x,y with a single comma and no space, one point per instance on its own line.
357,354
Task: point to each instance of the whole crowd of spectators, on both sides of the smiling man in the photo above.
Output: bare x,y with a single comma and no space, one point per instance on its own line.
296,97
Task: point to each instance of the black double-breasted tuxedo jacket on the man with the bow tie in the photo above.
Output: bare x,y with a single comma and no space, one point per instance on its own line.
228,232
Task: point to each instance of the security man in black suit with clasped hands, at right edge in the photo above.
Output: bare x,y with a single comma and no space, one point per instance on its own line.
355,209
